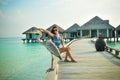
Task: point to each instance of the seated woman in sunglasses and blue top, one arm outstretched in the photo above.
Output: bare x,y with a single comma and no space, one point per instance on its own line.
54,34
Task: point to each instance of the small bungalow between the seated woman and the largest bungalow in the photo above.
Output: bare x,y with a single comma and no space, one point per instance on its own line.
71,32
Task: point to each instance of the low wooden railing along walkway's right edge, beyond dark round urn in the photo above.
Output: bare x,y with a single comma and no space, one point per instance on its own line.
113,51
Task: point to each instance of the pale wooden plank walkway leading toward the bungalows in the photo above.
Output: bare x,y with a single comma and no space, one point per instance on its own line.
91,65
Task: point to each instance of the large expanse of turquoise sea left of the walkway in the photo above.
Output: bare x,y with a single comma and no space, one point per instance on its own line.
23,61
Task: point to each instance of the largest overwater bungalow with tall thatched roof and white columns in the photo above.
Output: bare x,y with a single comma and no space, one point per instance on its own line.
97,27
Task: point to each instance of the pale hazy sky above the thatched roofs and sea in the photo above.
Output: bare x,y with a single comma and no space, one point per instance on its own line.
16,16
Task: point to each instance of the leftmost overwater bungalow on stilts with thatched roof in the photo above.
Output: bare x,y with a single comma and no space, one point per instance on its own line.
31,35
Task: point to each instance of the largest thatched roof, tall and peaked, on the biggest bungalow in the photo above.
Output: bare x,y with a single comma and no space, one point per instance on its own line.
96,23
